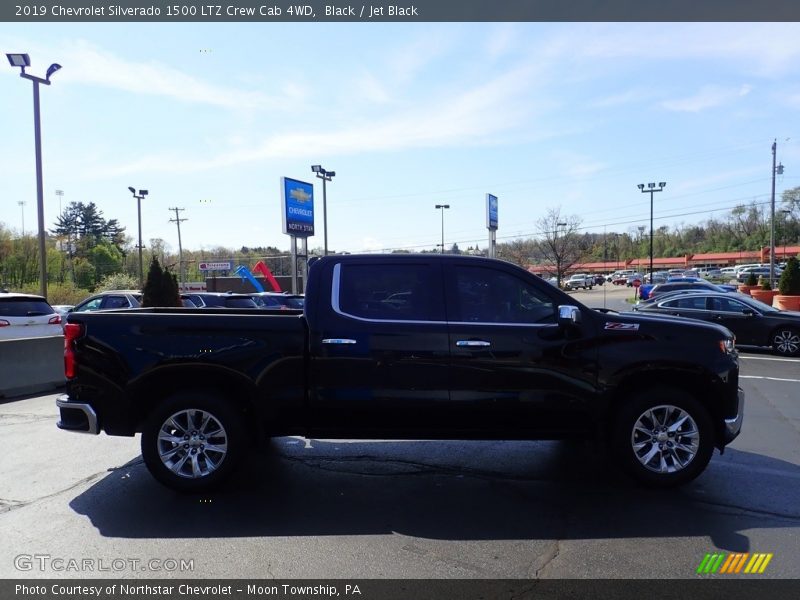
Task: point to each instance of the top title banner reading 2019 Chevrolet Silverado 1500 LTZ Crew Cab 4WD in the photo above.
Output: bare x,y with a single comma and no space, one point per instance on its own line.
411,11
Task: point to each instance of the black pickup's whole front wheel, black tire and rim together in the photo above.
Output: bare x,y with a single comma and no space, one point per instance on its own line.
655,457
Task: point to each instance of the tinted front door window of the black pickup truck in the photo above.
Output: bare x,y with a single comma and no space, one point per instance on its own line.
491,296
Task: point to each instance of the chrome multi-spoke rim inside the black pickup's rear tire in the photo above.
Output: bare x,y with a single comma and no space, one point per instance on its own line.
192,443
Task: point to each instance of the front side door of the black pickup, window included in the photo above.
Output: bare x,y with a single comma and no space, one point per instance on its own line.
513,367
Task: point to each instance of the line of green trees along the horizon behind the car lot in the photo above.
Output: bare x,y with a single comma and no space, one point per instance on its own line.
84,249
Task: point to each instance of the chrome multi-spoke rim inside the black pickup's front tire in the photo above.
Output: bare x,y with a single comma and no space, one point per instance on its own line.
665,439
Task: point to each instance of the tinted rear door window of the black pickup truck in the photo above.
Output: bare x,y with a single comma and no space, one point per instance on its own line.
391,292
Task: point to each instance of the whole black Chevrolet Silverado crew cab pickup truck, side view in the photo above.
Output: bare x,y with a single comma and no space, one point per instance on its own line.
404,347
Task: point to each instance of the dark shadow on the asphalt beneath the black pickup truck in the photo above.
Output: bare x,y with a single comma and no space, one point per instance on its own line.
449,490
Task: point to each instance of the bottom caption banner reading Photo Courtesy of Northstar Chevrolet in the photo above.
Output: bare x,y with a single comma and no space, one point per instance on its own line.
728,588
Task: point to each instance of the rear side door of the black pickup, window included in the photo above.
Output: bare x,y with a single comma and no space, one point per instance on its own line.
380,354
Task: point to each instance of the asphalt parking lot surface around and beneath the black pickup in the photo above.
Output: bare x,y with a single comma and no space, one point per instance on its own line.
351,509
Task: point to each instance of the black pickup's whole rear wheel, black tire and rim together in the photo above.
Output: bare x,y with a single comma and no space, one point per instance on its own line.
208,441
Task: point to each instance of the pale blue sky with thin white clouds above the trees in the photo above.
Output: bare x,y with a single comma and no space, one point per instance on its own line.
572,116
